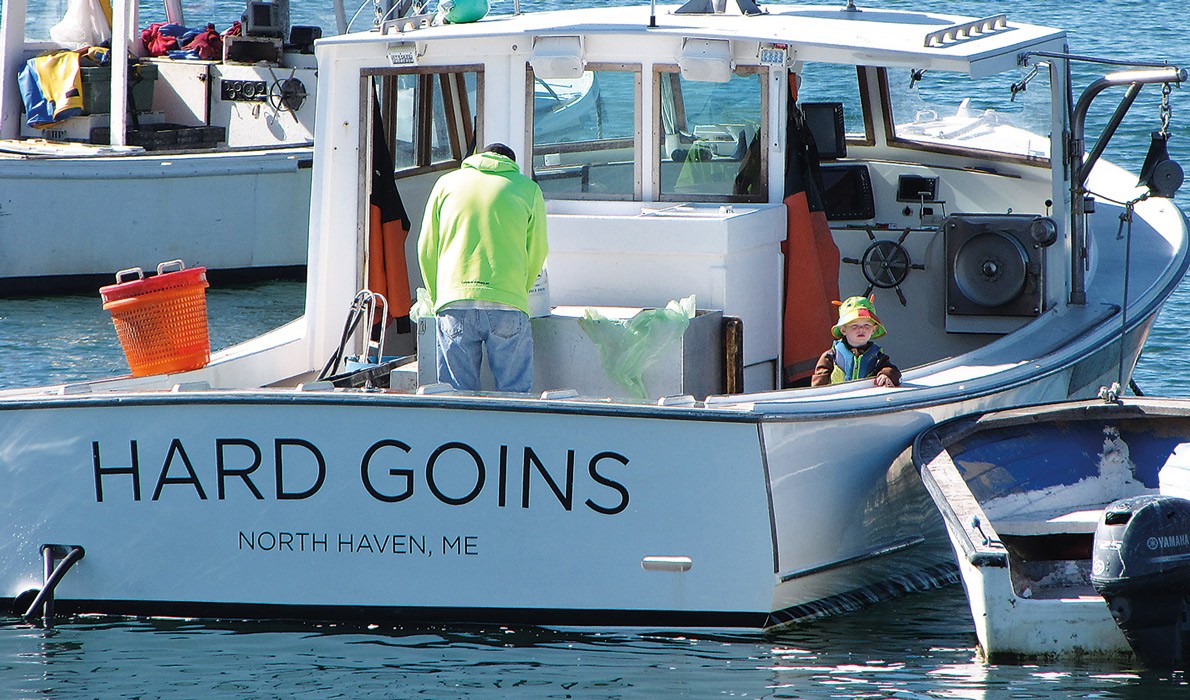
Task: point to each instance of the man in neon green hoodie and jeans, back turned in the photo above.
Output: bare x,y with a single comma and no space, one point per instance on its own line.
481,248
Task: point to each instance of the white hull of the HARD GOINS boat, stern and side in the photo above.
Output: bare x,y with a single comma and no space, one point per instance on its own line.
397,508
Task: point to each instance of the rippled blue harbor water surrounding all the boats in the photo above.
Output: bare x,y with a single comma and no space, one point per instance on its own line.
922,646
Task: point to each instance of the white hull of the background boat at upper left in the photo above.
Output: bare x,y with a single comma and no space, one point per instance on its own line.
70,222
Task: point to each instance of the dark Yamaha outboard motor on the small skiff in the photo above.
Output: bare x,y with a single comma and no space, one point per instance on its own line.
1142,567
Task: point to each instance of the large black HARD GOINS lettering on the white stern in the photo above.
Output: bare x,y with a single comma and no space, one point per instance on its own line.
391,471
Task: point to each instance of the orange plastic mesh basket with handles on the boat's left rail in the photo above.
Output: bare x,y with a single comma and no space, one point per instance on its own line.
161,321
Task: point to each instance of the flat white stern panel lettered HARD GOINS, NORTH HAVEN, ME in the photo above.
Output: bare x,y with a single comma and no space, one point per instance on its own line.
481,529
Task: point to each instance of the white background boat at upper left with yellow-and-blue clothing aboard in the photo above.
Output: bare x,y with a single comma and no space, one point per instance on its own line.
215,168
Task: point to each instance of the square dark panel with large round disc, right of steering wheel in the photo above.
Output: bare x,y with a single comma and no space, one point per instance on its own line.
995,264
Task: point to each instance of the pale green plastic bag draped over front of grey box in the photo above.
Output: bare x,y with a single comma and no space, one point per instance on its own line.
628,348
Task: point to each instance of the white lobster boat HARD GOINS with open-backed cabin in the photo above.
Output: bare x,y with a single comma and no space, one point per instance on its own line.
744,167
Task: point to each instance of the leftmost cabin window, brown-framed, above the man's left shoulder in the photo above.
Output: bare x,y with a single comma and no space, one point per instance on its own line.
429,117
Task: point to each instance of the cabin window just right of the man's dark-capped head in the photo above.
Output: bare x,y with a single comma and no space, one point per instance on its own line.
585,134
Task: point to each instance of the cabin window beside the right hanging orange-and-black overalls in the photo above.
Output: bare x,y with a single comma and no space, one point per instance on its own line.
711,136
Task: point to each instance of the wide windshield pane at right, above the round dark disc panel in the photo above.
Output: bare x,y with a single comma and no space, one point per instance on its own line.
954,112
